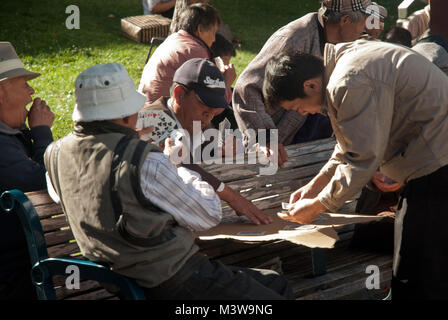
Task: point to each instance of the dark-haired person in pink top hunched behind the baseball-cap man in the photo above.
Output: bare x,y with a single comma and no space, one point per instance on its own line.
199,23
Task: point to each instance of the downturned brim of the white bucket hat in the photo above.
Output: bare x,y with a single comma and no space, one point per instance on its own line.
110,111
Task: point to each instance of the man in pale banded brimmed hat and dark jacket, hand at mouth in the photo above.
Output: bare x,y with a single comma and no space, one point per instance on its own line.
21,164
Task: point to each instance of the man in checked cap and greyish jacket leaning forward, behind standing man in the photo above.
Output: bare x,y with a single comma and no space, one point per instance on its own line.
336,21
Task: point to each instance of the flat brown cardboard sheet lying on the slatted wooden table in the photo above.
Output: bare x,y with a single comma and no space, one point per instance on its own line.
320,233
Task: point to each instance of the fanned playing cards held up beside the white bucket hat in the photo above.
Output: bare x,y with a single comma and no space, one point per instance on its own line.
163,124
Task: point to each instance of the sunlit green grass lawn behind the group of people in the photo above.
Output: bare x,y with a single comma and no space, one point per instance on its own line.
37,30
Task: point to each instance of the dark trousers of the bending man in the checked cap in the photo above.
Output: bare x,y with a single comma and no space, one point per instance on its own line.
316,126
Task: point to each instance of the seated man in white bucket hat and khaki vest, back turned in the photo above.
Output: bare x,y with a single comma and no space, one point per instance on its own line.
103,175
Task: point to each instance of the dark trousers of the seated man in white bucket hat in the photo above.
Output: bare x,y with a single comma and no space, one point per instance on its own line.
204,279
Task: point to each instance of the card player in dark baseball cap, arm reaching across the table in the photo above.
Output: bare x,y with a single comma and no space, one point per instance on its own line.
198,94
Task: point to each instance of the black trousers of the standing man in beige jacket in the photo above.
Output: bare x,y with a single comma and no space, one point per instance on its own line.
421,239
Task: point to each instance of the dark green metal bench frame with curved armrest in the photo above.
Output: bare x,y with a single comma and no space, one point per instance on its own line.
44,268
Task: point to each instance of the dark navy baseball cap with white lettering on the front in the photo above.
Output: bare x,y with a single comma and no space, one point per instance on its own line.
204,78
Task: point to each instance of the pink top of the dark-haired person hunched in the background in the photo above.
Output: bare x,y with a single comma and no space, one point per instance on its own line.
158,73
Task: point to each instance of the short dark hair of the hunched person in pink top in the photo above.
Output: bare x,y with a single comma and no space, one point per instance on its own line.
198,14
